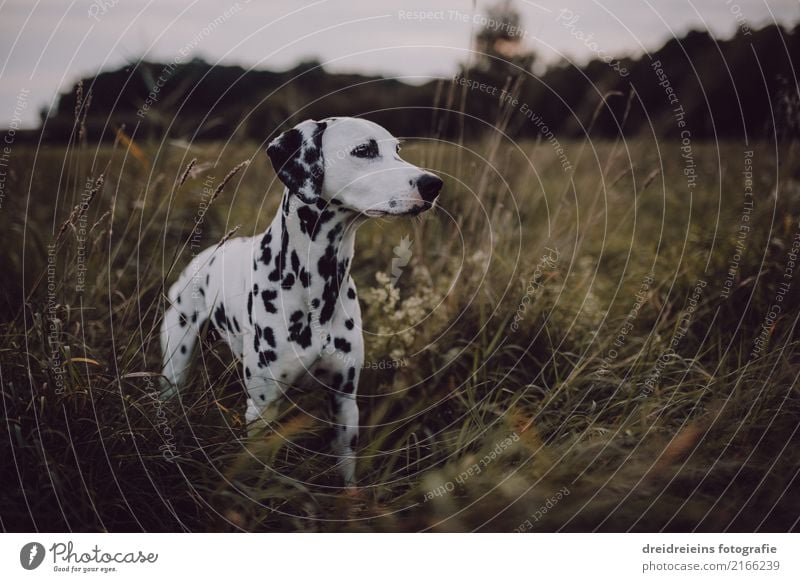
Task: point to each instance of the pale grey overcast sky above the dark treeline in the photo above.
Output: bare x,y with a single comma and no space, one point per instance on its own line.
46,45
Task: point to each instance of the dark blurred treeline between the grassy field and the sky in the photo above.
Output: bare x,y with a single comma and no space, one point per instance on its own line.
743,86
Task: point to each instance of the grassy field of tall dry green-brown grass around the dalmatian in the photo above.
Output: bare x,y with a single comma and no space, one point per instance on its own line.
606,344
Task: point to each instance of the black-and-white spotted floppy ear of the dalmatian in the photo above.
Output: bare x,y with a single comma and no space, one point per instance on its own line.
297,158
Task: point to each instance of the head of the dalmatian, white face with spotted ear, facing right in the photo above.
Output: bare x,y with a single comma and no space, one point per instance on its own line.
353,163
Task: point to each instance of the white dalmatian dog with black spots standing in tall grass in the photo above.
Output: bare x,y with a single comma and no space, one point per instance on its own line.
284,300
